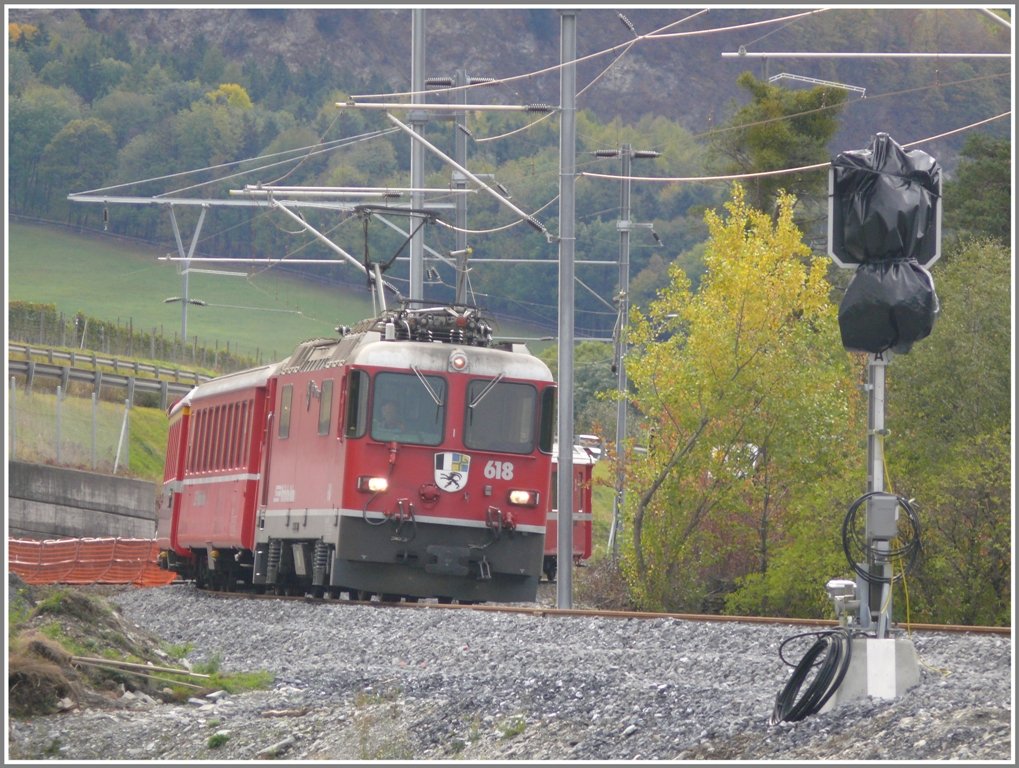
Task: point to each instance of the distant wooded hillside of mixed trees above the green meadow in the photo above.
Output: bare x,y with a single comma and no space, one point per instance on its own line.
142,114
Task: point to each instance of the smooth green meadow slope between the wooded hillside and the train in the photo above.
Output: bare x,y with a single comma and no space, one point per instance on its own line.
113,280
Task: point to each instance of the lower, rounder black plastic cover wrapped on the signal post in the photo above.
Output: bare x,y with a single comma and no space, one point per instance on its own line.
888,306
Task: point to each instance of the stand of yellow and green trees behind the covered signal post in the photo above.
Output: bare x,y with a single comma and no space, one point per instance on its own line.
755,432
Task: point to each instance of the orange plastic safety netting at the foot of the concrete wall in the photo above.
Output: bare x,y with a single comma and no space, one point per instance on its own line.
88,562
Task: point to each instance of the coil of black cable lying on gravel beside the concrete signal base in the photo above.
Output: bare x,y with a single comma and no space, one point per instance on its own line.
832,670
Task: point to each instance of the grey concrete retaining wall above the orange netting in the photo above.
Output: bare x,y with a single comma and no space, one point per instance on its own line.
53,503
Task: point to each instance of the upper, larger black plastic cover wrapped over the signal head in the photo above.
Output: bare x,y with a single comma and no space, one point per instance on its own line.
885,204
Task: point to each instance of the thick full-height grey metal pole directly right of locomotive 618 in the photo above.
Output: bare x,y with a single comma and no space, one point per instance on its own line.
568,164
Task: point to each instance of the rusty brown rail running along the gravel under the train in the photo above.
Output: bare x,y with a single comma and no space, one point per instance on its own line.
552,613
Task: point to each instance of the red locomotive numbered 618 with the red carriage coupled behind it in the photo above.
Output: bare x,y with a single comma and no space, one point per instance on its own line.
411,458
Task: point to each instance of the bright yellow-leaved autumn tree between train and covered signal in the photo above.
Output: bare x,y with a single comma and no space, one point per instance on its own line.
750,398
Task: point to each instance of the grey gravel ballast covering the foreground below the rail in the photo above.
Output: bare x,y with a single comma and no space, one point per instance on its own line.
370,683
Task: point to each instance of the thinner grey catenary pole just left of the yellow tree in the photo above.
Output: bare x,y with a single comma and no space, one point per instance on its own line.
621,406
